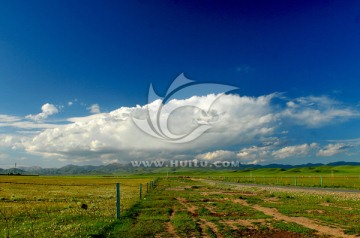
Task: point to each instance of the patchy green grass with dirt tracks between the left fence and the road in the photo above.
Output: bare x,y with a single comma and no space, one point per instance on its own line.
183,207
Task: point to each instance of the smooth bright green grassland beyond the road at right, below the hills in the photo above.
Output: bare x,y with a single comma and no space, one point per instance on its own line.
347,177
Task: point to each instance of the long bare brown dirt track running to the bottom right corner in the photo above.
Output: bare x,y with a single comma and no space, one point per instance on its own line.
306,222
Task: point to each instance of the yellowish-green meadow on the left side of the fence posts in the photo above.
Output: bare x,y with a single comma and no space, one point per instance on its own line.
63,207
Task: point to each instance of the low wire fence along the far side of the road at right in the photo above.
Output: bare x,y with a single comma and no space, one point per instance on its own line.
349,182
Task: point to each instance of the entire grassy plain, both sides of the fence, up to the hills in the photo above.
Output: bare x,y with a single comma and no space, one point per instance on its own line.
184,204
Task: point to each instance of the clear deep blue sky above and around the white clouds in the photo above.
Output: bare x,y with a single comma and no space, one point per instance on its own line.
107,53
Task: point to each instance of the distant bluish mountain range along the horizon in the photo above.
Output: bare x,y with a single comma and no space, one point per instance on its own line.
119,169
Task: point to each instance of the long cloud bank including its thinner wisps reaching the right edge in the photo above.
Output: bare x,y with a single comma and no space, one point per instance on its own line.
235,121
